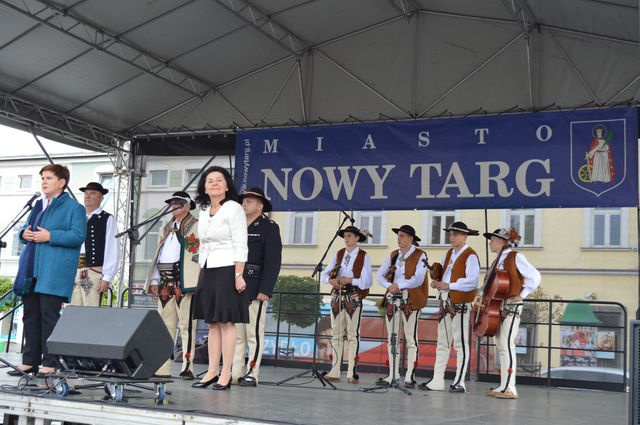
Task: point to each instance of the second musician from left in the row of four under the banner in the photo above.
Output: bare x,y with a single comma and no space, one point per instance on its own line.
404,274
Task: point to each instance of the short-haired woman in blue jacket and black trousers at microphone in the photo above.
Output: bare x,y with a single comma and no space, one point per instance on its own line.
53,236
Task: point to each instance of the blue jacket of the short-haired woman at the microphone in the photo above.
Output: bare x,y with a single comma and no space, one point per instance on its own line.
56,261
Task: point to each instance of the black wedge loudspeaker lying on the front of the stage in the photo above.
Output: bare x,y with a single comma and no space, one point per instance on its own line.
115,342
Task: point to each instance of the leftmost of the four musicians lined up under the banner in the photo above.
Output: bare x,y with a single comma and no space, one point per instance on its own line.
349,274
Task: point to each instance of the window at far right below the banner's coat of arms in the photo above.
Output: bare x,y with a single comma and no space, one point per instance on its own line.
607,227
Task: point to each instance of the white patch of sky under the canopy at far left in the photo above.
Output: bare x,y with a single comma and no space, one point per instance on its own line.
19,143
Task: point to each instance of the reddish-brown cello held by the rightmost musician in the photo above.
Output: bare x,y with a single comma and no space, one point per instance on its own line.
494,290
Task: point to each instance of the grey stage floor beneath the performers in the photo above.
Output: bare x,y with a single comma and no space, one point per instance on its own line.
304,401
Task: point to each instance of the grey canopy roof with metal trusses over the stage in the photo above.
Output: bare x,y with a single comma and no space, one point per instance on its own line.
92,72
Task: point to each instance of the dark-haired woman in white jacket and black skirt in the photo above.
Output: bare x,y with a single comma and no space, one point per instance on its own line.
220,299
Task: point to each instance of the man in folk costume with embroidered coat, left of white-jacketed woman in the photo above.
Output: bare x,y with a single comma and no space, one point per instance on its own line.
173,278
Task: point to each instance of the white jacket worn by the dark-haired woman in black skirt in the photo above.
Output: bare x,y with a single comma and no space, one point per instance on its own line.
223,237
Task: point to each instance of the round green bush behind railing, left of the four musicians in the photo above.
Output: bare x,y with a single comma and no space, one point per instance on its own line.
297,309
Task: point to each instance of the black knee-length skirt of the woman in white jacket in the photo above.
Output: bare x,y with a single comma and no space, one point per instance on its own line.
216,299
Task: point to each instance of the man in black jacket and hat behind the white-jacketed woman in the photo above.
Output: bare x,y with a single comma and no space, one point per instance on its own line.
260,273
